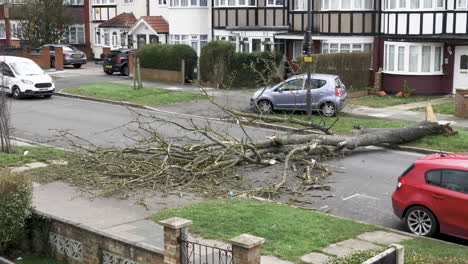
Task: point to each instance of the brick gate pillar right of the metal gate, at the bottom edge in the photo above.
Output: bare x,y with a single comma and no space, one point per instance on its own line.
246,249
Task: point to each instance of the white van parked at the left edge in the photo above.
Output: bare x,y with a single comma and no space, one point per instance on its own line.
21,77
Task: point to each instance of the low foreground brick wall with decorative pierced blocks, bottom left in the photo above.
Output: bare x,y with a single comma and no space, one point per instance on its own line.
76,244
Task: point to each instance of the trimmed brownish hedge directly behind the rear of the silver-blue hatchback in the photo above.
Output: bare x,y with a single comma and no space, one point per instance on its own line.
353,68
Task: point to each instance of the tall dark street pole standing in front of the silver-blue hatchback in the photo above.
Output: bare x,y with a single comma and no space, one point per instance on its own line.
308,59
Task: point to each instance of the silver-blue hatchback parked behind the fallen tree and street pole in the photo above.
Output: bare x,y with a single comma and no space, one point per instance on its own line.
328,95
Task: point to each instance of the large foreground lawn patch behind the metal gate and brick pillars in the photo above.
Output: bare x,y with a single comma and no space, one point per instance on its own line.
289,232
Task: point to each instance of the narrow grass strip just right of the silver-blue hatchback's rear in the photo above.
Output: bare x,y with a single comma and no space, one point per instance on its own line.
387,101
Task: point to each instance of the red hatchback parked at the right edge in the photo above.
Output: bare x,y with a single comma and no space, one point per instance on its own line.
432,195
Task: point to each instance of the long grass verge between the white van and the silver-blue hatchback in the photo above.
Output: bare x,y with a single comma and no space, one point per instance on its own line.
122,92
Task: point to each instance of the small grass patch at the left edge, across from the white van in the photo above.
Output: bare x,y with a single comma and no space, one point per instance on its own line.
40,154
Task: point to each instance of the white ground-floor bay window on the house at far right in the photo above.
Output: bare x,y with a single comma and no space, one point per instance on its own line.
406,46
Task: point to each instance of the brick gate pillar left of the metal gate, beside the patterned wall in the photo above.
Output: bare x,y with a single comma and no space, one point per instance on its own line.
173,229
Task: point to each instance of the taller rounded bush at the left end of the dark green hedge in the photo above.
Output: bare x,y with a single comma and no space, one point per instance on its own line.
215,59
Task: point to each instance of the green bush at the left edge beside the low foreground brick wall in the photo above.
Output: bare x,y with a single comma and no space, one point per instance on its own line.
15,205
